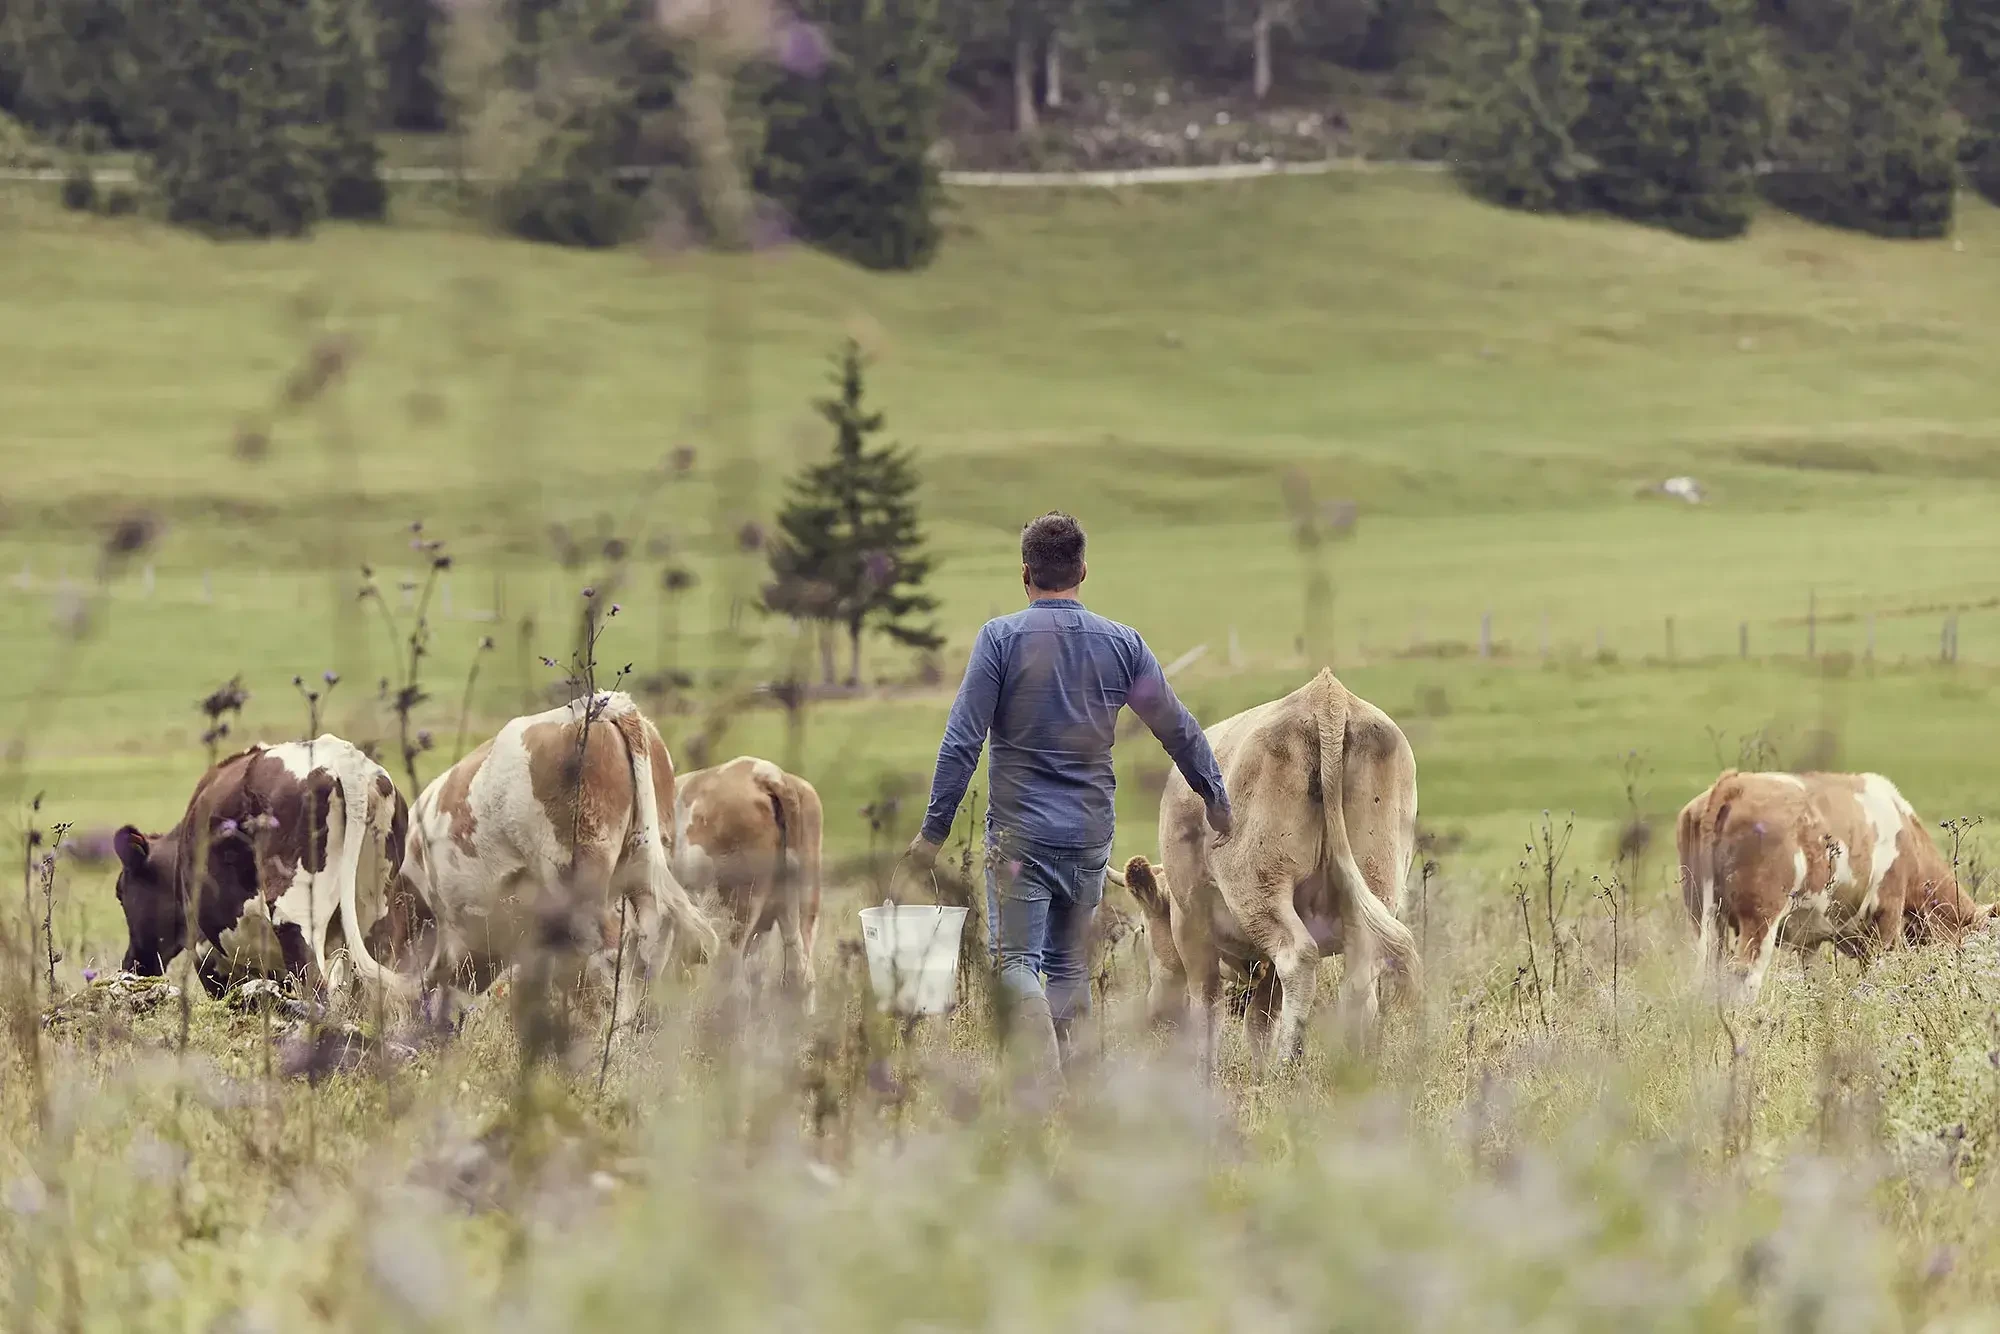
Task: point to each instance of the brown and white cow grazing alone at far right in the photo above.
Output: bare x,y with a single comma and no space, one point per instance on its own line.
1811,859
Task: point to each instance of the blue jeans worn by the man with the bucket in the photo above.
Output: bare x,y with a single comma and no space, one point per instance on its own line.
1039,907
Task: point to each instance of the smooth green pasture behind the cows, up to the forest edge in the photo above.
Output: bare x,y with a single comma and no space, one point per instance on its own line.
1177,367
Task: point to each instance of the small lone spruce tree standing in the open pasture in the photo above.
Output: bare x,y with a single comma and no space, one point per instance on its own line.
849,551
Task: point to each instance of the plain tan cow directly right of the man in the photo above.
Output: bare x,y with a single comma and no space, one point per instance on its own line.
1325,795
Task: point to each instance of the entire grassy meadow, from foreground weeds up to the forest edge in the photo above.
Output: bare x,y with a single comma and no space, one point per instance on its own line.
1559,1137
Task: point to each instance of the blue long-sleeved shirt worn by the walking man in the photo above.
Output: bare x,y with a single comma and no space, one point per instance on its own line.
1047,685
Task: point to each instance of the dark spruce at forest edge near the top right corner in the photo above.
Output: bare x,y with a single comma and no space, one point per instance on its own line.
1869,141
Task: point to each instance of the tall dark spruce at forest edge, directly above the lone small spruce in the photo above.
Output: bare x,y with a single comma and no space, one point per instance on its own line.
847,151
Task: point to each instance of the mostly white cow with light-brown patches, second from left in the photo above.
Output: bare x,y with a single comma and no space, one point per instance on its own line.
533,839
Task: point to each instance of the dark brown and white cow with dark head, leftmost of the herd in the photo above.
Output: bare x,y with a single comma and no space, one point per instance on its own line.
277,845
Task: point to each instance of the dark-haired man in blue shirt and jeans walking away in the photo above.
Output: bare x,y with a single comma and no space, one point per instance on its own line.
1047,685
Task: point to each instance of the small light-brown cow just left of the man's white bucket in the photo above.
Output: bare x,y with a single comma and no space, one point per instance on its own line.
749,833
